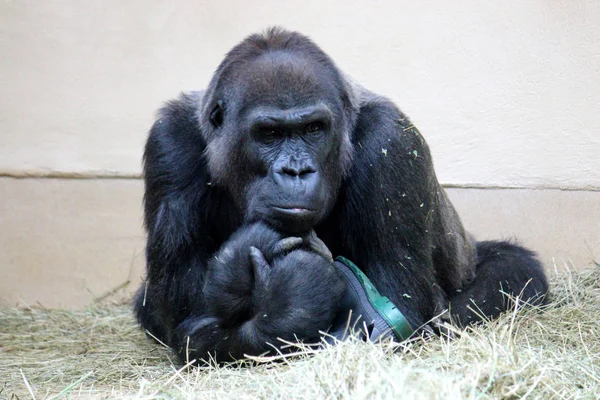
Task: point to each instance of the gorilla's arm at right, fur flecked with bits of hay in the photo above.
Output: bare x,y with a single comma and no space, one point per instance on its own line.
393,219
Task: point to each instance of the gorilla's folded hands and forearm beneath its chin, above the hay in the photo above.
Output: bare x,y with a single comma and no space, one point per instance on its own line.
262,285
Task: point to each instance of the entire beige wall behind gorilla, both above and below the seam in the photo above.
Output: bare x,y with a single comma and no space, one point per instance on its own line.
506,93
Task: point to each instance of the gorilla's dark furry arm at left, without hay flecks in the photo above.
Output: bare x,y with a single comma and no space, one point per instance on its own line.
176,185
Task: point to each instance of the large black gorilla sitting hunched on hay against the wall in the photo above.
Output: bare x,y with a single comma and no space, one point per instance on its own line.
249,183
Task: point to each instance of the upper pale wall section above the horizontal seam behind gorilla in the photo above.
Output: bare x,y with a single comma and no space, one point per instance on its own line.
506,92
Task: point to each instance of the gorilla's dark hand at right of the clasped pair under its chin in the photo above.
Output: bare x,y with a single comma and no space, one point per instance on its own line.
296,295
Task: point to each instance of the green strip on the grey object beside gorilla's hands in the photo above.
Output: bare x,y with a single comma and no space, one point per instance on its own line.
382,304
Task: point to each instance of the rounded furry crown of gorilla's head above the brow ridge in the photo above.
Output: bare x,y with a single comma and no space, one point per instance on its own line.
279,68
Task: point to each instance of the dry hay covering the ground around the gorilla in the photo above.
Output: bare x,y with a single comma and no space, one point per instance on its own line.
100,352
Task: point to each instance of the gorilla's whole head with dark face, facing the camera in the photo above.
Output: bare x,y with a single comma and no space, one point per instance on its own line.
278,118
